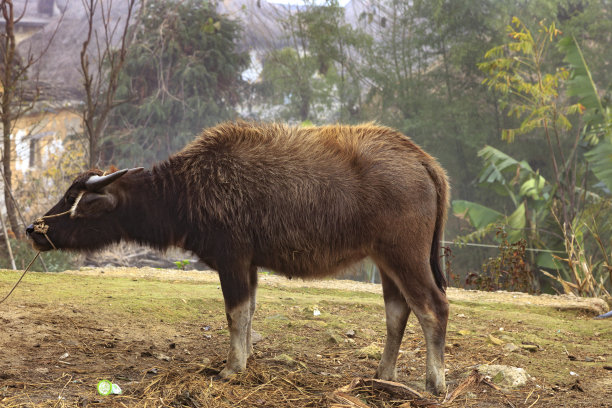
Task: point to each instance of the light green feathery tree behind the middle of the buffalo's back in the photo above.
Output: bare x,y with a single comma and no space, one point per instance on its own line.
317,72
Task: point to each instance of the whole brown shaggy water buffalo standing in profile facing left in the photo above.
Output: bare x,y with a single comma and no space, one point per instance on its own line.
304,201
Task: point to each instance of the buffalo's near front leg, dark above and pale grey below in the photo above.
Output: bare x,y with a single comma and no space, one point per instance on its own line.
235,284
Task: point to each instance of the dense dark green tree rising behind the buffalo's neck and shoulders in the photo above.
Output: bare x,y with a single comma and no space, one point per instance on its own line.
181,74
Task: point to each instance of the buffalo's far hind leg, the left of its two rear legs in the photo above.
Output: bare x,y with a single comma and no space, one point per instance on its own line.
397,312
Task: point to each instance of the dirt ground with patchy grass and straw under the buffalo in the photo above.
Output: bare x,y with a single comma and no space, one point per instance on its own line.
161,336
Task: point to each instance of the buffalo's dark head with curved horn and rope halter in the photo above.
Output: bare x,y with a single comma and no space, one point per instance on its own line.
86,217
